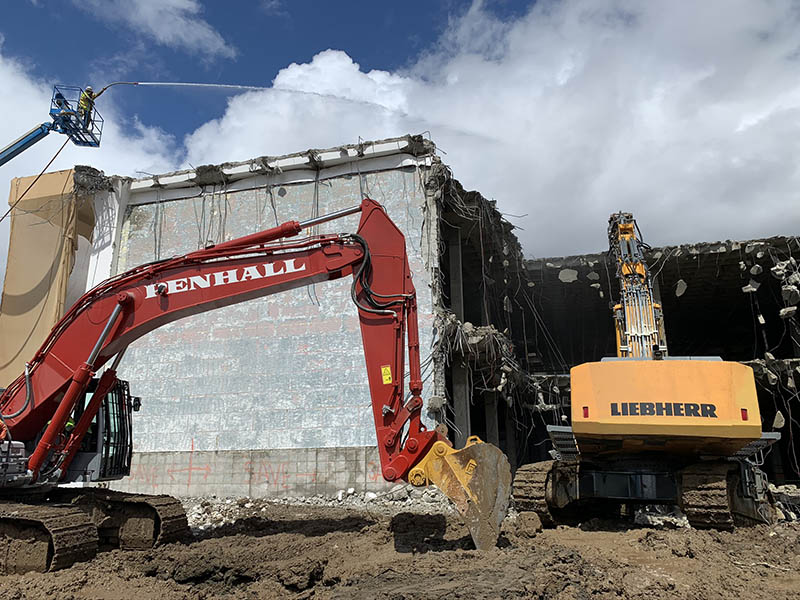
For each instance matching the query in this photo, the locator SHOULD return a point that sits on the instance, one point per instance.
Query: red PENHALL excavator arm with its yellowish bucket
(101, 325)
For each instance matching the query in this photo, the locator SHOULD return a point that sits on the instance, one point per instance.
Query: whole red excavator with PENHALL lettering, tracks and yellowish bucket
(61, 423)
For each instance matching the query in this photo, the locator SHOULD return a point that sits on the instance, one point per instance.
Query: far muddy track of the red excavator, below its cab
(132, 521)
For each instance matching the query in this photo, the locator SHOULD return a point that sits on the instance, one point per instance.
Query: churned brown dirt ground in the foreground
(279, 551)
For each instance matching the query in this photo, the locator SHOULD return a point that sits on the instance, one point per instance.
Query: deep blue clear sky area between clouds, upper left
(70, 42)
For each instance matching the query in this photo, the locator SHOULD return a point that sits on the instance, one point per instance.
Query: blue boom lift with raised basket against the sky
(84, 128)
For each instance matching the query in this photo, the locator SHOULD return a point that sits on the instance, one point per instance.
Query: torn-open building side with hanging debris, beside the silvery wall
(482, 310)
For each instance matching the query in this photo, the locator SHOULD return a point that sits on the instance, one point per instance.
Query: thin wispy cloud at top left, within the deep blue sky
(172, 23)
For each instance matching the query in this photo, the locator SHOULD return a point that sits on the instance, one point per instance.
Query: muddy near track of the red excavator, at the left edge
(44, 537)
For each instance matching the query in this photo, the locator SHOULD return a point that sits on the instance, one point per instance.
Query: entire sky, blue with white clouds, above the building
(562, 111)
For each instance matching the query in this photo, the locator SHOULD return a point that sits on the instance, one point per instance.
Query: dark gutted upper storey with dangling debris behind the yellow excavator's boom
(725, 299)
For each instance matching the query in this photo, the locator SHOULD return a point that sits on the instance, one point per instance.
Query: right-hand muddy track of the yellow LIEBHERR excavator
(704, 495)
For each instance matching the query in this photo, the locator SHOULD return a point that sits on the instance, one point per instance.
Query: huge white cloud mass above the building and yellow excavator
(687, 114)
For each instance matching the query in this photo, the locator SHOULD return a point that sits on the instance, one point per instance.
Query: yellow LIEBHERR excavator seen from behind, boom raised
(648, 428)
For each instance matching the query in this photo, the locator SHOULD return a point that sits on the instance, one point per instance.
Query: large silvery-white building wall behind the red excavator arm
(284, 372)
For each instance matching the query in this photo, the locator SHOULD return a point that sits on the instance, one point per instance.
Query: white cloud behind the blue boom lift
(122, 151)
